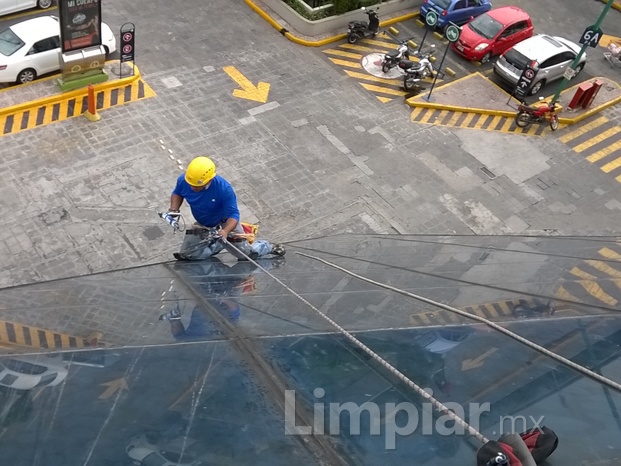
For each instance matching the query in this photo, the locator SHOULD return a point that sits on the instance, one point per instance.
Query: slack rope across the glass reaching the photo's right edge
(515, 336)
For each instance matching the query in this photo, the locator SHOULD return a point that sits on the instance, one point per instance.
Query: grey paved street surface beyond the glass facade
(321, 156)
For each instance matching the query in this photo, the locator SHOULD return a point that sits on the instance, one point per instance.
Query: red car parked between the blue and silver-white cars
(493, 32)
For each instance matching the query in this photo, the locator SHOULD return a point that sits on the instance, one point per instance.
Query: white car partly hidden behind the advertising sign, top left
(32, 48)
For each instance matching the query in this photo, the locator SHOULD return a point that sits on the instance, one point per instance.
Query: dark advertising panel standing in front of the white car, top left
(80, 24)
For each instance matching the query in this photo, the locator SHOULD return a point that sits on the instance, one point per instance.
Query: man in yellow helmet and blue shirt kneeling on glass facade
(213, 204)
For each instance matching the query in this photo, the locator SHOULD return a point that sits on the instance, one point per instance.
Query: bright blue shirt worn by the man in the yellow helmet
(210, 206)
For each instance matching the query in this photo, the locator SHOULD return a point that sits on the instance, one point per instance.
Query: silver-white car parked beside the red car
(553, 55)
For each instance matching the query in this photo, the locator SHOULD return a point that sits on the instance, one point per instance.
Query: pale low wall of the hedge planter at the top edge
(336, 24)
